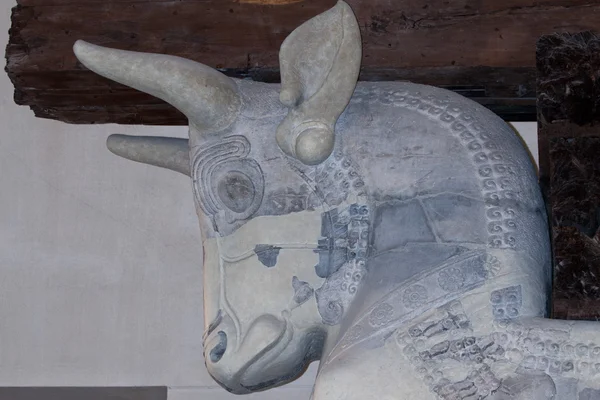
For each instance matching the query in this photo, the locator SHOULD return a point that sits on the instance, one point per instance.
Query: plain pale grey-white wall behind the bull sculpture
(100, 261)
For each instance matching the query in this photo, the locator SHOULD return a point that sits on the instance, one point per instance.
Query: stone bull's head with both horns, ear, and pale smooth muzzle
(249, 150)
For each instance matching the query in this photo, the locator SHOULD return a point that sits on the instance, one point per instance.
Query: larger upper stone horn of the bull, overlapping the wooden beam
(208, 98)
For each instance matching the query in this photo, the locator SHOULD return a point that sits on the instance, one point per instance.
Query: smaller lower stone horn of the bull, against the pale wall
(164, 152)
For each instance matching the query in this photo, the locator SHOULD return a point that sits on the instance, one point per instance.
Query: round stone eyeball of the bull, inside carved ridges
(236, 191)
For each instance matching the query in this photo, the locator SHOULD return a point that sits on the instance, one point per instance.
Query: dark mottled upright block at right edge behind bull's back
(569, 143)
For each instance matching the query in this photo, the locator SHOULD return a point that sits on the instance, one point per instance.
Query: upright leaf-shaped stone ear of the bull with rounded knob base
(320, 63)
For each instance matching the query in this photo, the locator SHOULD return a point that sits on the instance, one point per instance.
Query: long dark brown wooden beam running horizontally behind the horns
(485, 50)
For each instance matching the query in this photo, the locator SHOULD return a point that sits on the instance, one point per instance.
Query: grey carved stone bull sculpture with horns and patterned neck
(393, 231)
